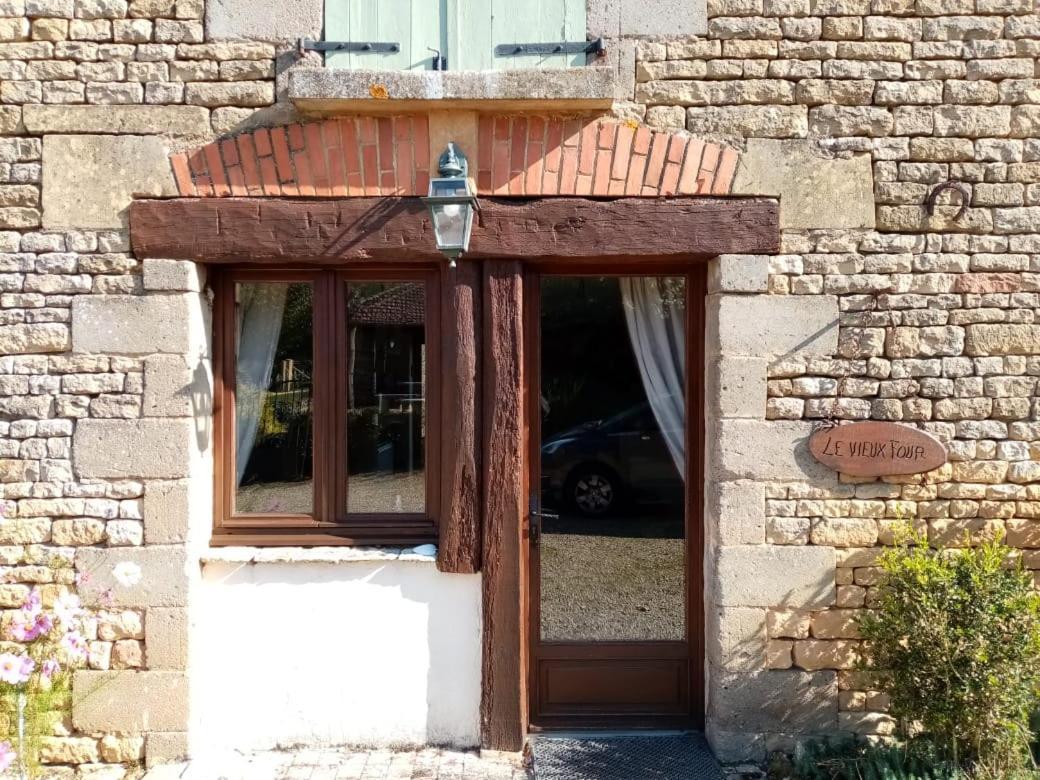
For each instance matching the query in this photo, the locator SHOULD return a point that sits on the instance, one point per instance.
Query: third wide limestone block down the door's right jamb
(765, 576)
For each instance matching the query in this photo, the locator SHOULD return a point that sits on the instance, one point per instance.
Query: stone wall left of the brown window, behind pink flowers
(106, 387)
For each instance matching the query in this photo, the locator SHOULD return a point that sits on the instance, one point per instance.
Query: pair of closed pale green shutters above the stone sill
(465, 33)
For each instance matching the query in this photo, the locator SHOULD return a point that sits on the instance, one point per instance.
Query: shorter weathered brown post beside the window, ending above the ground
(459, 551)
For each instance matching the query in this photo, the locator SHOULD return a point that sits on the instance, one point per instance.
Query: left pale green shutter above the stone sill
(418, 25)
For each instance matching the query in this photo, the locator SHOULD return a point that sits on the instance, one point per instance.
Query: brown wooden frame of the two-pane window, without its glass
(330, 525)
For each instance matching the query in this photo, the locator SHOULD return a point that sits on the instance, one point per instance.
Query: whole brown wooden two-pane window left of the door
(326, 420)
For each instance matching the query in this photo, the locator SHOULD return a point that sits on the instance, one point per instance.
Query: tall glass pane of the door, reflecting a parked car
(613, 454)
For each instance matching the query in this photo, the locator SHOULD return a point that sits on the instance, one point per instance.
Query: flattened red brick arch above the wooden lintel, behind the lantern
(521, 157)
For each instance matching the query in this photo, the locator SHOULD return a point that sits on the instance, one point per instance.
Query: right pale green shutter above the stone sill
(485, 25)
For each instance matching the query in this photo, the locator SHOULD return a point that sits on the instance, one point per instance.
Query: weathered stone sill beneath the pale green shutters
(330, 91)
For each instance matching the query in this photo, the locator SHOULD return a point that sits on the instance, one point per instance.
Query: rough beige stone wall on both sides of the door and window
(849, 111)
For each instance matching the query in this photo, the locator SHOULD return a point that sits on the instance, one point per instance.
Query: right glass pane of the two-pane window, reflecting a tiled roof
(386, 425)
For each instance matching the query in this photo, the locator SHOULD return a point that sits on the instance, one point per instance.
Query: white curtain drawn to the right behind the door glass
(656, 313)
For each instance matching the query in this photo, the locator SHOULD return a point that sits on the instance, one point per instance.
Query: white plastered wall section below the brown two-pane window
(371, 653)
